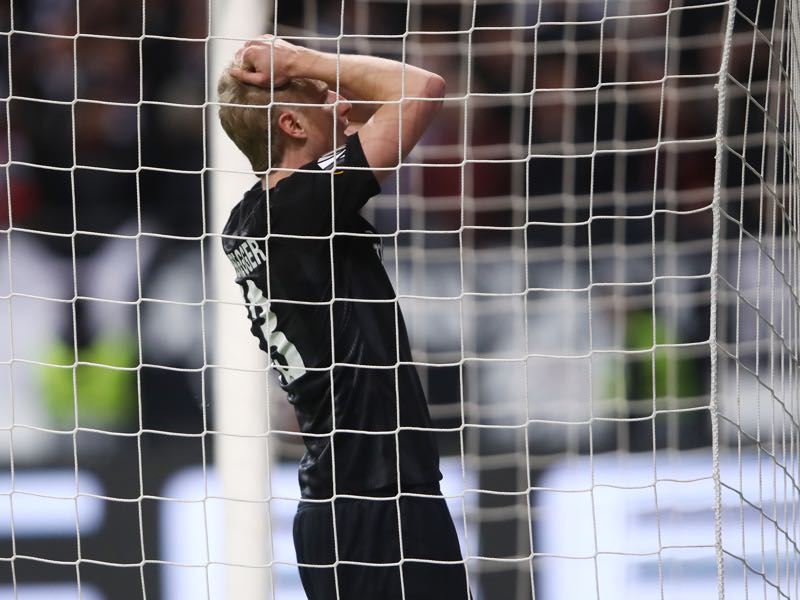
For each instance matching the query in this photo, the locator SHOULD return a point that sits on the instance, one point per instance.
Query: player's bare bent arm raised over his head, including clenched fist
(409, 97)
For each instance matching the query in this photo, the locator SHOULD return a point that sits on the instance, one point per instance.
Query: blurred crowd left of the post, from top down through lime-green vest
(105, 198)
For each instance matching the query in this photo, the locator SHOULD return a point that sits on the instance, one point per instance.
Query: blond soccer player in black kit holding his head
(323, 307)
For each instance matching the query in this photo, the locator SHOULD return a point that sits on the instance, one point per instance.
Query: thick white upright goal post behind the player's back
(241, 400)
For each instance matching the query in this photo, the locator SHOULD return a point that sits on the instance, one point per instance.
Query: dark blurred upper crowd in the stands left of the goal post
(94, 118)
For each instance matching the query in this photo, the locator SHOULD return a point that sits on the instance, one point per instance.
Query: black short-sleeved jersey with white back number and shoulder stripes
(323, 307)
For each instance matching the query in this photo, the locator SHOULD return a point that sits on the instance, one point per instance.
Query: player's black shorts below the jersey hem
(367, 532)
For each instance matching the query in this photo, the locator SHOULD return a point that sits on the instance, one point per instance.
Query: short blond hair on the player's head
(248, 125)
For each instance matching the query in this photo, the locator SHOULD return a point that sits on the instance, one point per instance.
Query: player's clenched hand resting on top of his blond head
(265, 62)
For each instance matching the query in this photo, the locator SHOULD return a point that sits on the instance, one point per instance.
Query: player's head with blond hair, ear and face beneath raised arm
(315, 129)
